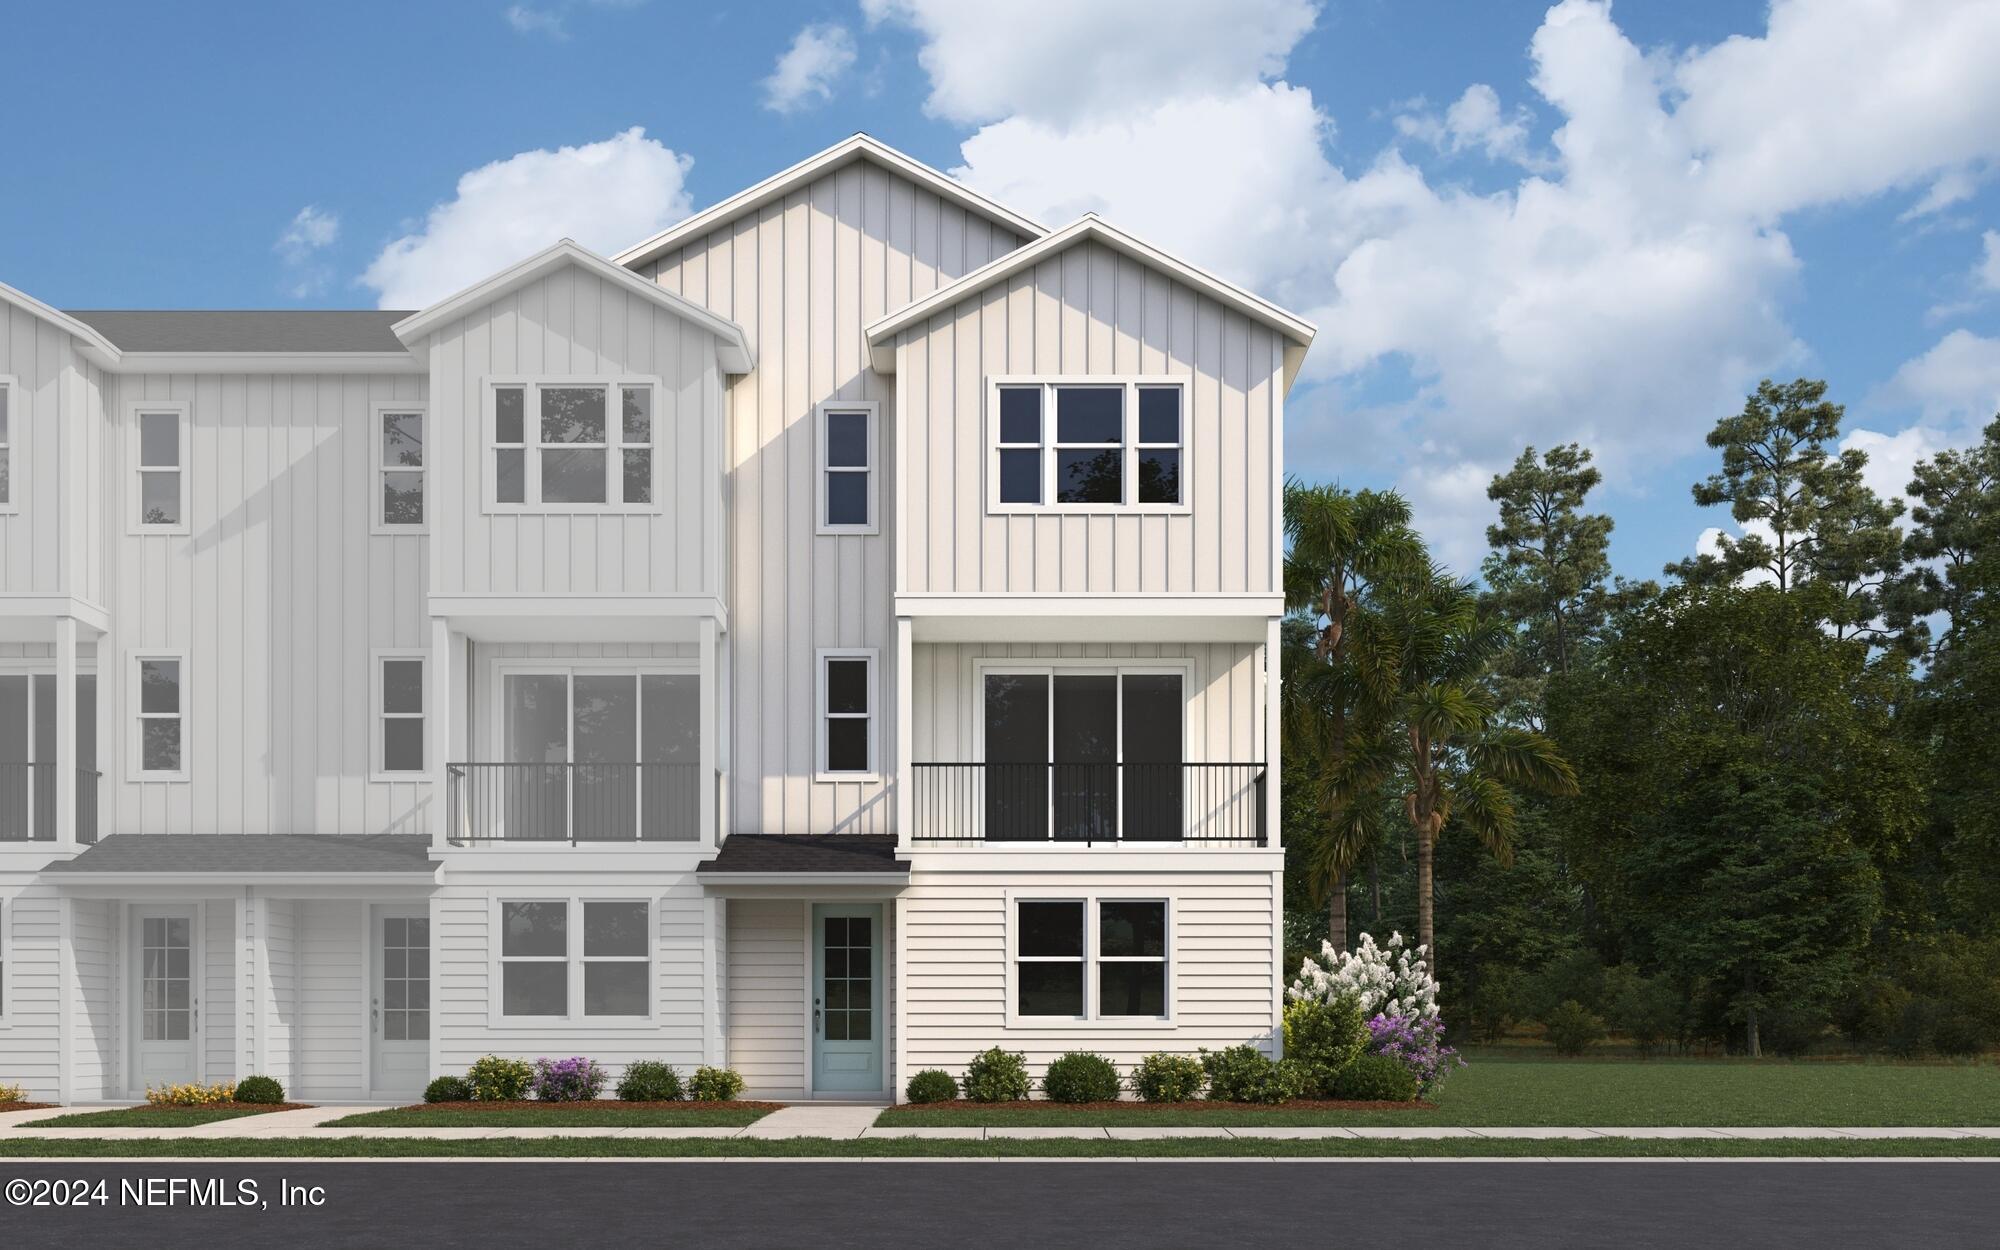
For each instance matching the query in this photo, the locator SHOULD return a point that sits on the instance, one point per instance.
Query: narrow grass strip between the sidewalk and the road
(585, 1147)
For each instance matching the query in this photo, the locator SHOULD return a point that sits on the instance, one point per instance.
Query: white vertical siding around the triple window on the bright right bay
(1091, 311)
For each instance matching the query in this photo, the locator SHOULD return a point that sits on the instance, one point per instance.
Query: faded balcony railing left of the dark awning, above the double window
(575, 803)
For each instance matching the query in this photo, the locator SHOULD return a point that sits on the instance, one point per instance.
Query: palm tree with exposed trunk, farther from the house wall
(1461, 759)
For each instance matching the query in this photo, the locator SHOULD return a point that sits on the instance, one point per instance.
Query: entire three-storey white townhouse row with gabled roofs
(827, 639)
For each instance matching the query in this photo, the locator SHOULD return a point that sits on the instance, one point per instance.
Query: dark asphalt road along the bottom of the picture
(1097, 1205)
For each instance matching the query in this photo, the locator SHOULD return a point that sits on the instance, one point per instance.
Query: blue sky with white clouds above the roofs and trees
(1513, 223)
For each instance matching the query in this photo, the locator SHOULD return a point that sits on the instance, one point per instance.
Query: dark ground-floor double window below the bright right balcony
(1091, 959)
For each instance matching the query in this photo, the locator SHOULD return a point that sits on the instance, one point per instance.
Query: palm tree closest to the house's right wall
(1343, 547)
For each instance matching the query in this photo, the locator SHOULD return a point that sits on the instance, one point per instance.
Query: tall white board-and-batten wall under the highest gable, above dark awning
(803, 275)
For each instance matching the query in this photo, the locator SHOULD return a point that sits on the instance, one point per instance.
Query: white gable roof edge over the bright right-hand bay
(1091, 229)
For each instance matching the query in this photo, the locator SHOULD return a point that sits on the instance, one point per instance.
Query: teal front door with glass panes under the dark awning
(847, 999)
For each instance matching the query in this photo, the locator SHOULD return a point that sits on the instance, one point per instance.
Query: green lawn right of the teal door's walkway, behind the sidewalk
(1613, 1095)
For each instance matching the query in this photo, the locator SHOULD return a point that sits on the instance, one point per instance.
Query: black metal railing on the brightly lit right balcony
(1087, 803)
